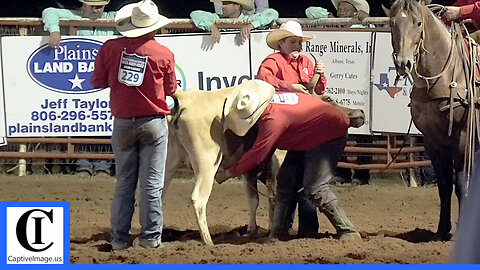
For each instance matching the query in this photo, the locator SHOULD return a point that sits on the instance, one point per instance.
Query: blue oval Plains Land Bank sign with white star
(66, 69)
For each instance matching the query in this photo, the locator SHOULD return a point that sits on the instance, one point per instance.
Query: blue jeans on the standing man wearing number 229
(140, 150)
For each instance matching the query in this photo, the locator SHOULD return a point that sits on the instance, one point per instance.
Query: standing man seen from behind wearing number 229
(140, 73)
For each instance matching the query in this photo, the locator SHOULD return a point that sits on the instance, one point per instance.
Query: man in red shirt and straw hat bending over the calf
(314, 133)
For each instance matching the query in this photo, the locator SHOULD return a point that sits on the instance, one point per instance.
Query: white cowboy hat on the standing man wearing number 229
(138, 19)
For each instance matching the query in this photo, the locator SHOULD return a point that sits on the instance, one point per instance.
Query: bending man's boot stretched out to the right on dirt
(339, 220)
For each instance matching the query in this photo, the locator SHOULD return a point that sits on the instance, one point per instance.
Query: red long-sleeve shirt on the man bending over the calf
(299, 123)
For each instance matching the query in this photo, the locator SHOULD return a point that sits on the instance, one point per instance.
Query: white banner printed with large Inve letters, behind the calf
(205, 65)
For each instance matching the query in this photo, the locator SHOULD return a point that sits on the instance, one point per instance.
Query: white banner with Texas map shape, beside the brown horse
(390, 111)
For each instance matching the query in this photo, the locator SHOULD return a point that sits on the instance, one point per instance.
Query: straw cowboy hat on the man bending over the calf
(245, 105)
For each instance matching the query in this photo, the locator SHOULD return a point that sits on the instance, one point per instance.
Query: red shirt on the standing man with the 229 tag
(159, 77)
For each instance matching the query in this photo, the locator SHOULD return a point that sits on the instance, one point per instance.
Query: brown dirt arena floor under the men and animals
(396, 224)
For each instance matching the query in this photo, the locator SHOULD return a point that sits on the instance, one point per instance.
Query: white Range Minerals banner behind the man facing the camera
(347, 66)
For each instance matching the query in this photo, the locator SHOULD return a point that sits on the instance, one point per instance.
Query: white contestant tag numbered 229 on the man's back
(132, 69)
